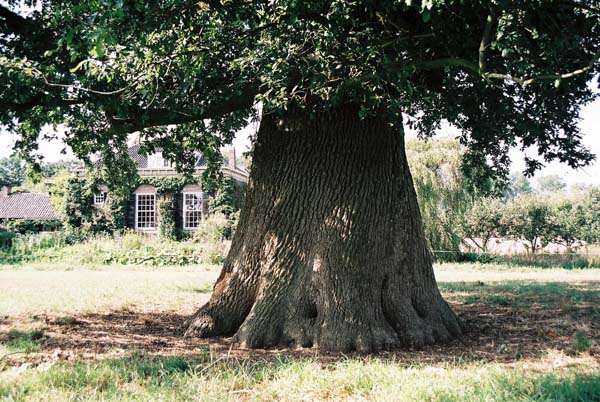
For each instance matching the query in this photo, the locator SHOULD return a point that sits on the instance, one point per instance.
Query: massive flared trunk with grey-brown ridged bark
(329, 250)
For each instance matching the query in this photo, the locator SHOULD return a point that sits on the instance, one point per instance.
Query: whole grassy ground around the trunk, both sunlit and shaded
(112, 333)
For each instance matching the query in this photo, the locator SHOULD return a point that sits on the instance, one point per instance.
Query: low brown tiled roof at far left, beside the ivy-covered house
(27, 206)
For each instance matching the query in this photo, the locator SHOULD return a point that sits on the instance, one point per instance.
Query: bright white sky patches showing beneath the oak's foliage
(589, 124)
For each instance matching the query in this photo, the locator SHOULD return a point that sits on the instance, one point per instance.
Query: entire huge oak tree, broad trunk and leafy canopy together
(329, 251)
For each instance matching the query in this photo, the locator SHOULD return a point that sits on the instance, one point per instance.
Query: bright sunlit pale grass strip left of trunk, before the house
(38, 289)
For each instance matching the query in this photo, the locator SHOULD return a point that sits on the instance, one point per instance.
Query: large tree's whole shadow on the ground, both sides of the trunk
(508, 321)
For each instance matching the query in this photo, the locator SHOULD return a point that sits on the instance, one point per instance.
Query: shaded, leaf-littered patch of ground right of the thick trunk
(523, 319)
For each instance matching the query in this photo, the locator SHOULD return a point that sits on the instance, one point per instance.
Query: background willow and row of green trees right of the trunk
(459, 212)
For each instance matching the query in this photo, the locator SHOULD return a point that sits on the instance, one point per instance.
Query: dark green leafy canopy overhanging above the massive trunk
(187, 74)
